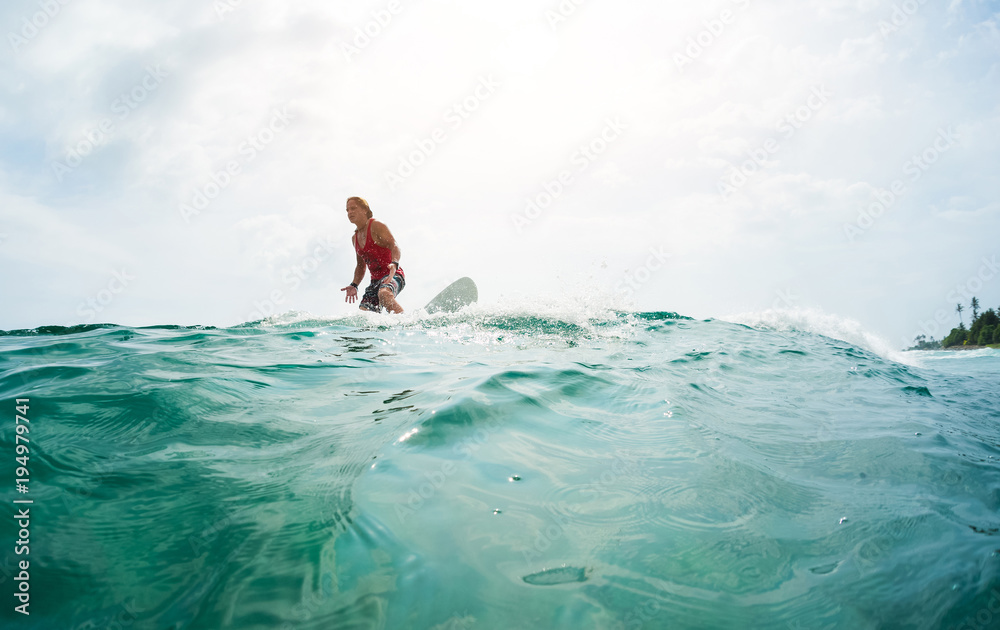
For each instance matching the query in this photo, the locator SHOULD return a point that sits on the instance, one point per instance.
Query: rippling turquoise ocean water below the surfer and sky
(500, 470)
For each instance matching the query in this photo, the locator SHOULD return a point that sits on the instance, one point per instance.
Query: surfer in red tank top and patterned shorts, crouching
(376, 248)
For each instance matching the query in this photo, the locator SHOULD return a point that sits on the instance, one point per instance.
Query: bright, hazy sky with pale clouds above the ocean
(188, 162)
